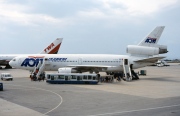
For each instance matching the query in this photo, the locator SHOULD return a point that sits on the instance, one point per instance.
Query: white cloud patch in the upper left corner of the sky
(20, 14)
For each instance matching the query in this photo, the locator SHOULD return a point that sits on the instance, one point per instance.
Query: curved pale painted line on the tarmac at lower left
(61, 99)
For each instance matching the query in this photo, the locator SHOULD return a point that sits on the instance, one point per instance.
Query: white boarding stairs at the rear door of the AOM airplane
(127, 70)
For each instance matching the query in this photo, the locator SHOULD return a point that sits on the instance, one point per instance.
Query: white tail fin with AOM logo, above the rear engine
(153, 37)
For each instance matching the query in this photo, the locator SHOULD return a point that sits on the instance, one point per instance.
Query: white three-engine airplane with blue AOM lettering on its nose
(143, 54)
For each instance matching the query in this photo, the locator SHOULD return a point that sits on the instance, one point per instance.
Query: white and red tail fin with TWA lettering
(53, 48)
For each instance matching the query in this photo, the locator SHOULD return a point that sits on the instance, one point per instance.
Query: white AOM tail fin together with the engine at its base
(148, 46)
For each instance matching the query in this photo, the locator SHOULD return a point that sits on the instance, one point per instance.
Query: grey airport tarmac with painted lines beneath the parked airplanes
(157, 93)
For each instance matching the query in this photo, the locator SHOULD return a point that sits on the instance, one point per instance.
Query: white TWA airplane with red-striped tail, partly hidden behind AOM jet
(53, 48)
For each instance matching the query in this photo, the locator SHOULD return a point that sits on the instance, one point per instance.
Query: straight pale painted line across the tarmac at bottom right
(136, 110)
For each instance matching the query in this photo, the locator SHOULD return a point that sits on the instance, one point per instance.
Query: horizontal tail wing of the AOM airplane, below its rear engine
(150, 60)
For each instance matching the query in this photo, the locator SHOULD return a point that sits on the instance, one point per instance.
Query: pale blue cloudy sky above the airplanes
(87, 26)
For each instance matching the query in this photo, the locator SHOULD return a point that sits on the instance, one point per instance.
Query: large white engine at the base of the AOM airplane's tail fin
(144, 50)
